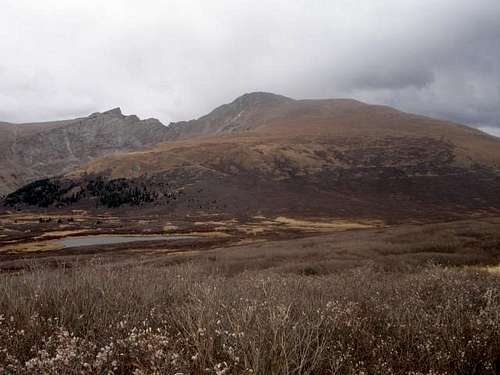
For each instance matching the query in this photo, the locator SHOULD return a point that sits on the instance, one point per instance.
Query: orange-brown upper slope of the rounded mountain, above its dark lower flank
(311, 134)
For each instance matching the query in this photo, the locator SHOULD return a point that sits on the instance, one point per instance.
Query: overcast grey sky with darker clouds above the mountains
(176, 60)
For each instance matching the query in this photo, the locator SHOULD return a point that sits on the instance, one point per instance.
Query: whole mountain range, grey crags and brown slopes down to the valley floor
(267, 154)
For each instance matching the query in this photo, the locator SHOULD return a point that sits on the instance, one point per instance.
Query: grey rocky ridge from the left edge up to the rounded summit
(34, 151)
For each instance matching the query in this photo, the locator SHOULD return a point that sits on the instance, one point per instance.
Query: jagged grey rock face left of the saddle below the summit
(32, 151)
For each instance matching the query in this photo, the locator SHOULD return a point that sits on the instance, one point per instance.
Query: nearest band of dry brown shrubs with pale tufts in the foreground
(193, 318)
